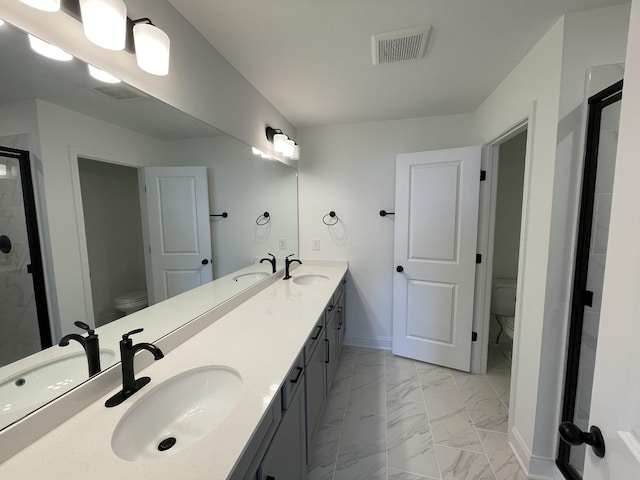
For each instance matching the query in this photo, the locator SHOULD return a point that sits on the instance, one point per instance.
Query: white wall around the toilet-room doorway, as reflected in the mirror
(62, 132)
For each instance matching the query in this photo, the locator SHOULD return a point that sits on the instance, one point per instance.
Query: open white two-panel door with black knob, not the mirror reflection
(436, 223)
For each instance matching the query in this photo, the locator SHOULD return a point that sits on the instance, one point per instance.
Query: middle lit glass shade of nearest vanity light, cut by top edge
(105, 22)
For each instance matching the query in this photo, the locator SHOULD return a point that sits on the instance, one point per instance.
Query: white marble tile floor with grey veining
(391, 418)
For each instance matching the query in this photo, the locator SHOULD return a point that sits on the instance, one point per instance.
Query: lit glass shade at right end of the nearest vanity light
(152, 49)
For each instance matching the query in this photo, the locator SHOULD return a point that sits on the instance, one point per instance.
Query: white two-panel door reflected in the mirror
(178, 234)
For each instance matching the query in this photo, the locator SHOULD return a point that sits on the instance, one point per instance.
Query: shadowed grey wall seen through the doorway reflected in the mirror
(113, 227)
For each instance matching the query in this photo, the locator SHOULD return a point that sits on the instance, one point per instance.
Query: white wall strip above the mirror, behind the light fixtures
(200, 82)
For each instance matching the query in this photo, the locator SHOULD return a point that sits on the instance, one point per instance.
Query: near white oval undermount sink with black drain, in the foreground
(177, 413)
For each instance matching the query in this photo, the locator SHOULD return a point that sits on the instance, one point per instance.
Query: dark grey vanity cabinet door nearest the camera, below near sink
(286, 457)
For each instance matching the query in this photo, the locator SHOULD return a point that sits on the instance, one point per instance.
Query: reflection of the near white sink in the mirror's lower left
(41, 383)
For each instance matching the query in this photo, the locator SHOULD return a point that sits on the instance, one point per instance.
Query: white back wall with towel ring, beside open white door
(351, 169)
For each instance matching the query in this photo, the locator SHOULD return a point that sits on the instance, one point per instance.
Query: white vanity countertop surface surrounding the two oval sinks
(260, 339)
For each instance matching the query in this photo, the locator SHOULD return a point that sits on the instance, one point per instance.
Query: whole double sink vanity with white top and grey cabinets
(239, 399)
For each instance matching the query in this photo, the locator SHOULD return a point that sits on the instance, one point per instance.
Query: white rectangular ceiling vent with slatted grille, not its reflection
(400, 46)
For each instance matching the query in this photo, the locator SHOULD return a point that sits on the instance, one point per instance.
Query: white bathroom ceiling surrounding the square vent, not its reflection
(312, 58)
